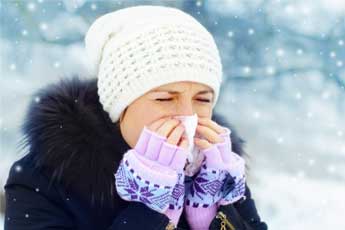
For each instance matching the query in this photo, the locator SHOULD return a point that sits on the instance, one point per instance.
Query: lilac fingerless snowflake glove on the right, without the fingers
(220, 181)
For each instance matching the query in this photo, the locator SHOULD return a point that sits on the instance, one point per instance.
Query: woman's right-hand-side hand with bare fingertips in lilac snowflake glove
(222, 176)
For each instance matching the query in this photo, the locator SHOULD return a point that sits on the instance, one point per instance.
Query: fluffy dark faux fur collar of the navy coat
(72, 137)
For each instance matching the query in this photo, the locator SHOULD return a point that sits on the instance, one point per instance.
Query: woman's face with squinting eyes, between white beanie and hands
(173, 99)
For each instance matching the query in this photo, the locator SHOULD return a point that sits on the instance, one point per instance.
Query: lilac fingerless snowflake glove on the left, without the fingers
(152, 173)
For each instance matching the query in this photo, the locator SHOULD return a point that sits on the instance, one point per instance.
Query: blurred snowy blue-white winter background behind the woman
(284, 90)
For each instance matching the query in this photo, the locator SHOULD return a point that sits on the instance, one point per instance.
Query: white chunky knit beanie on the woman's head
(138, 48)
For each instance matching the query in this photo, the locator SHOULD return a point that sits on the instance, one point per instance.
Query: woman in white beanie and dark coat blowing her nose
(112, 152)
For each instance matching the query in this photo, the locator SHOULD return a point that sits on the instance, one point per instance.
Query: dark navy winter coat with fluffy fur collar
(66, 179)
